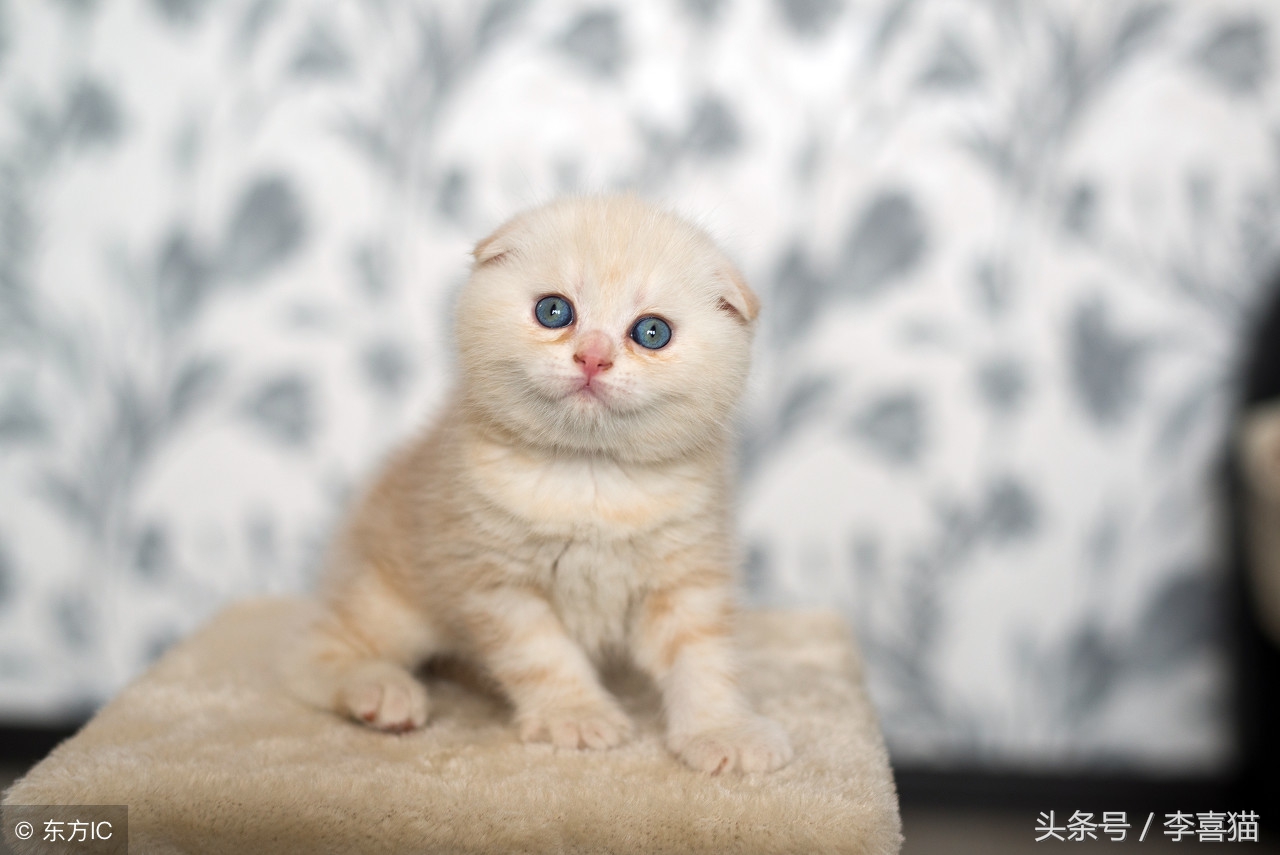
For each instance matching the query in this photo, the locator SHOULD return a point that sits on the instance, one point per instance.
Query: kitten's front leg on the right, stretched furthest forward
(684, 639)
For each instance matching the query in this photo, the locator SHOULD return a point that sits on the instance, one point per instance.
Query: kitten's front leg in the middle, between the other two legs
(555, 688)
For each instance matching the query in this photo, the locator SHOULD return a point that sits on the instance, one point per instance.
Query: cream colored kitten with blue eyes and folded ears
(573, 500)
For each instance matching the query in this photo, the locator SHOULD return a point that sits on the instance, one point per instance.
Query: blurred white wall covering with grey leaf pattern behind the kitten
(1013, 257)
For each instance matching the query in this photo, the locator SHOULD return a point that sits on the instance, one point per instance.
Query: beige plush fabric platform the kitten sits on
(212, 757)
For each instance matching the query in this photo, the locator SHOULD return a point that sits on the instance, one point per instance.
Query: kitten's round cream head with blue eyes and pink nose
(605, 326)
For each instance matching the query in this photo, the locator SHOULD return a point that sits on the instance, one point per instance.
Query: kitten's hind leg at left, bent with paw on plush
(355, 659)
